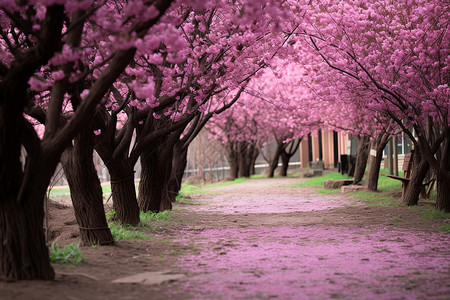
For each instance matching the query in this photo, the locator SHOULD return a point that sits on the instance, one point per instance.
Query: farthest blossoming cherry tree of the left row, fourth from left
(221, 56)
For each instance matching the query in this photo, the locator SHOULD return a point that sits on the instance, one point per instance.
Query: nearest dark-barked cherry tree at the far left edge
(41, 37)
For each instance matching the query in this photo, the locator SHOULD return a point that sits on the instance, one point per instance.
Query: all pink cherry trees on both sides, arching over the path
(139, 80)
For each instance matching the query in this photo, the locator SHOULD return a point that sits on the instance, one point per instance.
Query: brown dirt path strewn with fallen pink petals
(258, 239)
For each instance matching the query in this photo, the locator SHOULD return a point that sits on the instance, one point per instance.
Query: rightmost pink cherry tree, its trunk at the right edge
(398, 53)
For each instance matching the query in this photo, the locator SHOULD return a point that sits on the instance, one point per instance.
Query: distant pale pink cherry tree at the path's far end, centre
(284, 114)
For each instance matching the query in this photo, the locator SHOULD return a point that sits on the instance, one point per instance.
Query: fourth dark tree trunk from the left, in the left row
(156, 168)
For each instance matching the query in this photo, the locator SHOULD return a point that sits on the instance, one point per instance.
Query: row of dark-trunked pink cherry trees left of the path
(128, 79)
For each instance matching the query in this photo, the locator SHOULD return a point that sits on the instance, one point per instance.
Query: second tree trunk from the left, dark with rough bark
(86, 191)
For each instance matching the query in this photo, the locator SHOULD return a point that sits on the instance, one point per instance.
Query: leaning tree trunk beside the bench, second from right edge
(419, 171)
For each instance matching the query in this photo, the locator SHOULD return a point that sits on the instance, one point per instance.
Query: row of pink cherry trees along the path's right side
(373, 70)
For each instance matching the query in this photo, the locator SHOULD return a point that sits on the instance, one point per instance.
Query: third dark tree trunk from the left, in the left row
(123, 192)
